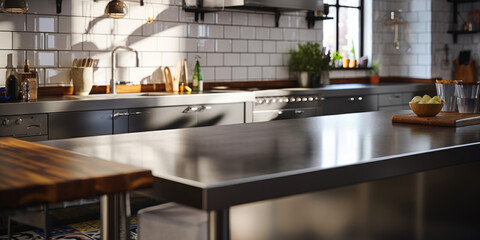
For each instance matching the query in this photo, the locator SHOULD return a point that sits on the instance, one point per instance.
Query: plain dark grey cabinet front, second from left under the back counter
(79, 124)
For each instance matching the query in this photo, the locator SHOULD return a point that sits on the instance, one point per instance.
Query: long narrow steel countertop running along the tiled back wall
(161, 99)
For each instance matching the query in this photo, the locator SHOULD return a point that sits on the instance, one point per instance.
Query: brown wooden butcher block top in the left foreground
(31, 173)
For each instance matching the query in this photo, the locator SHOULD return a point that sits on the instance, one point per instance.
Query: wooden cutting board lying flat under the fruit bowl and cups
(443, 119)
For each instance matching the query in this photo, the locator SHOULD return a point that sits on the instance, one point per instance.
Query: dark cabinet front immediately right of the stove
(351, 104)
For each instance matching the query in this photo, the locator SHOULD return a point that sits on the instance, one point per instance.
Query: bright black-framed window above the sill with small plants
(346, 28)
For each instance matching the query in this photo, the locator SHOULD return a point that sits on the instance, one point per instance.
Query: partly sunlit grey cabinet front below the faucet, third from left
(150, 119)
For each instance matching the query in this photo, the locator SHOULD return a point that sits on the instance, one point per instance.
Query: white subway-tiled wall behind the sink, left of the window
(233, 45)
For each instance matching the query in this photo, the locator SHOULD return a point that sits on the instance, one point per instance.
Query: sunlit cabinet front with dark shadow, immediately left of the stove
(221, 114)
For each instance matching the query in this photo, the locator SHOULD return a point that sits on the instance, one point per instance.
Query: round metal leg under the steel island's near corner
(219, 224)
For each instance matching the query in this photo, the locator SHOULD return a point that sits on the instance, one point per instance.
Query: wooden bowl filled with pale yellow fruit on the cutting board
(426, 106)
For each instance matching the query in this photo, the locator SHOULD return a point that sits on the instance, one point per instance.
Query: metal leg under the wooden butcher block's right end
(115, 213)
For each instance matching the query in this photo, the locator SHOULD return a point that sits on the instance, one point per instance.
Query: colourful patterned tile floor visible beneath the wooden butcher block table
(89, 230)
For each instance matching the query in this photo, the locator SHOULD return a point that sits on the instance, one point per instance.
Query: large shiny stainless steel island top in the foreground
(220, 166)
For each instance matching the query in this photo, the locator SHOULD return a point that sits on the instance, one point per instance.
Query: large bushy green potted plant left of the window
(312, 62)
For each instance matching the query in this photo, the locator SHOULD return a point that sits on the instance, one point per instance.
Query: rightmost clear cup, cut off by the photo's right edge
(467, 97)
